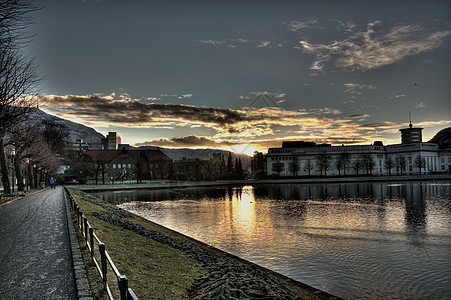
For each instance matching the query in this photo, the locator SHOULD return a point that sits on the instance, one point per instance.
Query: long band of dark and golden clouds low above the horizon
(248, 127)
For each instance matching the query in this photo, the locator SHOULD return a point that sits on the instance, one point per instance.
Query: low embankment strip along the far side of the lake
(310, 180)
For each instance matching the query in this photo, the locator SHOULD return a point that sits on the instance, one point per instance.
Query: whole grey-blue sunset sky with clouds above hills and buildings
(246, 75)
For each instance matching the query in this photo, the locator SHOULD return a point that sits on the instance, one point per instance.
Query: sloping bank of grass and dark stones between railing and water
(163, 264)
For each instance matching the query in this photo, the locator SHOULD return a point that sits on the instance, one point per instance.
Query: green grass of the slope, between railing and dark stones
(154, 270)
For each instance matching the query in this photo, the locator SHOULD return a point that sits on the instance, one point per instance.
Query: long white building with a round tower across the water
(412, 156)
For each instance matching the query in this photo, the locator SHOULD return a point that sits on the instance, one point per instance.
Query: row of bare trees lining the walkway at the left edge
(24, 149)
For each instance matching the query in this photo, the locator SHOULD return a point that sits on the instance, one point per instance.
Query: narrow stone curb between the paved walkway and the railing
(80, 275)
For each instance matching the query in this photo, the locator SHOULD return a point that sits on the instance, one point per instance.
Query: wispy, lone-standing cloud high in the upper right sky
(373, 48)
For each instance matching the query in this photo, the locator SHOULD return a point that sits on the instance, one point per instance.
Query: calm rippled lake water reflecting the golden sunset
(367, 241)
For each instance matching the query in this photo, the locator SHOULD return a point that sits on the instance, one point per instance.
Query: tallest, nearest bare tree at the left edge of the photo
(18, 73)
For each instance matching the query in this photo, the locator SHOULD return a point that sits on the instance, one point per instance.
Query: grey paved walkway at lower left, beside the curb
(35, 254)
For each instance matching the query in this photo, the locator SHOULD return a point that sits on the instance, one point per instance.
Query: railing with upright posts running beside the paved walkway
(87, 231)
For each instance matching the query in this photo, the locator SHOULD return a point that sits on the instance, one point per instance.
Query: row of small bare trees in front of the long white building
(362, 165)
